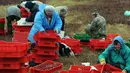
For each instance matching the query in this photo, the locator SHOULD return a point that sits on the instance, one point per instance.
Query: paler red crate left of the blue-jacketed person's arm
(18, 38)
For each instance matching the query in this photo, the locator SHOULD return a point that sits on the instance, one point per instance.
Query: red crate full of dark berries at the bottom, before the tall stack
(47, 67)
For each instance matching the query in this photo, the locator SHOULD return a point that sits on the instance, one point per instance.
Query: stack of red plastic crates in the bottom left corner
(13, 57)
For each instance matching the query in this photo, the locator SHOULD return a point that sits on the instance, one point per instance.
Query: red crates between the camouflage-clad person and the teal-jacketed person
(102, 43)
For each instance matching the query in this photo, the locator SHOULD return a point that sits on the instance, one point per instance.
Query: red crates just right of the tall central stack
(73, 44)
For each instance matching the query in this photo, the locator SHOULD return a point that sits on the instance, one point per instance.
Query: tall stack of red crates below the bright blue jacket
(46, 46)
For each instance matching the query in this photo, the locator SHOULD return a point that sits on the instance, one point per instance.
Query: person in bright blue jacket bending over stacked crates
(48, 19)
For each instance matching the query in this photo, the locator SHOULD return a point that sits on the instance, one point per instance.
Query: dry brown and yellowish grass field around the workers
(79, 16)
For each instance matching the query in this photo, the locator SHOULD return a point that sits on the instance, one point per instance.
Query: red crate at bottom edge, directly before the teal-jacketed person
(107, 67)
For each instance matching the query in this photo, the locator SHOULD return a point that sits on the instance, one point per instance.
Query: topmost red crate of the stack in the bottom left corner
(13, 49)
